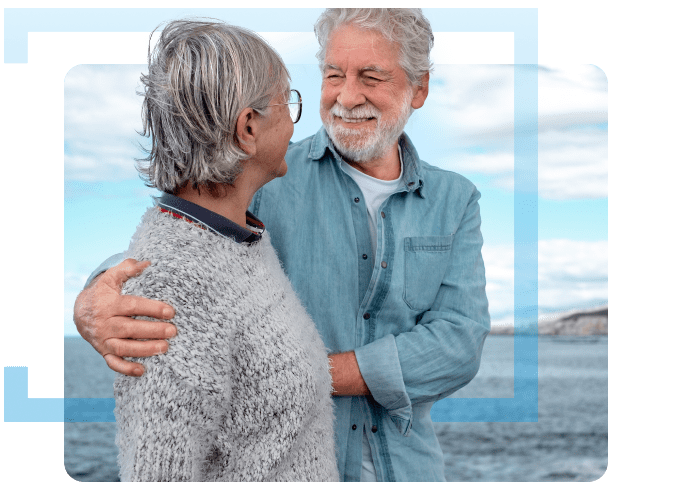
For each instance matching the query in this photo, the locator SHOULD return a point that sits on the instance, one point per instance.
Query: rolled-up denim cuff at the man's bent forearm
(379, 365)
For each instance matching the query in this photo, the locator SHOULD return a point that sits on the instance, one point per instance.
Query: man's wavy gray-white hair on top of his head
(408, 27)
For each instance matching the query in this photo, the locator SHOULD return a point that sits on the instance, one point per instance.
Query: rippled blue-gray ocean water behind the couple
(568, 443)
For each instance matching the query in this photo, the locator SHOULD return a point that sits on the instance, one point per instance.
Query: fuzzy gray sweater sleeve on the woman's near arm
(170, 419)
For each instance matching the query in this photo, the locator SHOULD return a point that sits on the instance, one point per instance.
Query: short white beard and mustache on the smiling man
(365, 145)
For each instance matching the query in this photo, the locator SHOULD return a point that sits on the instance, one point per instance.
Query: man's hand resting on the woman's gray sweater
(101, 315)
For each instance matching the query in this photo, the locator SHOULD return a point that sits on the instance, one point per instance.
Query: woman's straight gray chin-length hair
(202, 74)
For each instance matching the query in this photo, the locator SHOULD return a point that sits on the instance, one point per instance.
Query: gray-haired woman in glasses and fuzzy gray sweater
(243, 392)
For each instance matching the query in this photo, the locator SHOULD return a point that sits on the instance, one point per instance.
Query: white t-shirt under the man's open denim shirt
(374, 191)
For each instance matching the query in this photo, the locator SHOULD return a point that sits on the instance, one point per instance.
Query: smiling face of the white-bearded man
(366, 98)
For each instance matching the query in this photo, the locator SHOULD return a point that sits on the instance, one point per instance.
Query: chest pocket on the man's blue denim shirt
(426, 259)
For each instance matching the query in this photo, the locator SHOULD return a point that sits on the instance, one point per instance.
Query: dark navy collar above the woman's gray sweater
(210, 220)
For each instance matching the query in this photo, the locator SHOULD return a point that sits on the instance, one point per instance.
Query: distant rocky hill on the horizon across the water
(575, 323)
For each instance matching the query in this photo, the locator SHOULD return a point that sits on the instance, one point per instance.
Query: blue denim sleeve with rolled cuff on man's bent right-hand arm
(442, 352)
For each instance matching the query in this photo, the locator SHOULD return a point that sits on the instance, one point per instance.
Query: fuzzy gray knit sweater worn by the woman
(243, 393)
